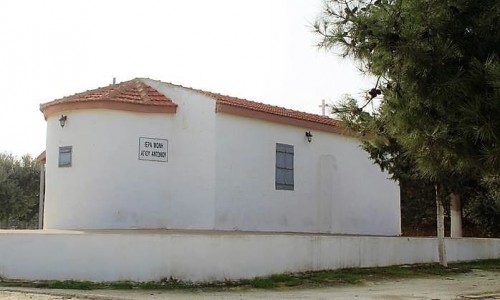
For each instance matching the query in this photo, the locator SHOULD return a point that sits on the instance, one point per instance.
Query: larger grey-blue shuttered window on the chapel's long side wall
(284, 167)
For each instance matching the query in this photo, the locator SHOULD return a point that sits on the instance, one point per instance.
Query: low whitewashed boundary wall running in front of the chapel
(147, 255)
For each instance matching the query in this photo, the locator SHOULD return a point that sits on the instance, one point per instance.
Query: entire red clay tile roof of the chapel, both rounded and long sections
(136, 92)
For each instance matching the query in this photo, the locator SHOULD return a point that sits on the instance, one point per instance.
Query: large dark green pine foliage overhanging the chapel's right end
(439, 74)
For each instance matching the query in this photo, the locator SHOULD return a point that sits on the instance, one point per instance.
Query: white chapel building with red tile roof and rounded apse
(145, 154)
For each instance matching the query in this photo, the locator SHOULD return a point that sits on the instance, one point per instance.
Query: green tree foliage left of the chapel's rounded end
(19, 191)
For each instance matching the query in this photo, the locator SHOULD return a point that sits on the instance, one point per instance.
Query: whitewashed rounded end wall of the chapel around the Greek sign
(107, 186)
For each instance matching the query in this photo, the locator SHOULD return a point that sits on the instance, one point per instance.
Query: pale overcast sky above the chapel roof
(261, 50)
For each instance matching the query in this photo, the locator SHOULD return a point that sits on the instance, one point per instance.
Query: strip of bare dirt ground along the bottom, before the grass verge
(475, 285)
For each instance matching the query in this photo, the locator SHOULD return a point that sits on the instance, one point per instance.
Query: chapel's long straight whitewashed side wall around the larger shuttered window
(337, 188)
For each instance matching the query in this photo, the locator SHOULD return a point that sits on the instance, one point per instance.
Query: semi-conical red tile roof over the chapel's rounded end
(132, 93)
